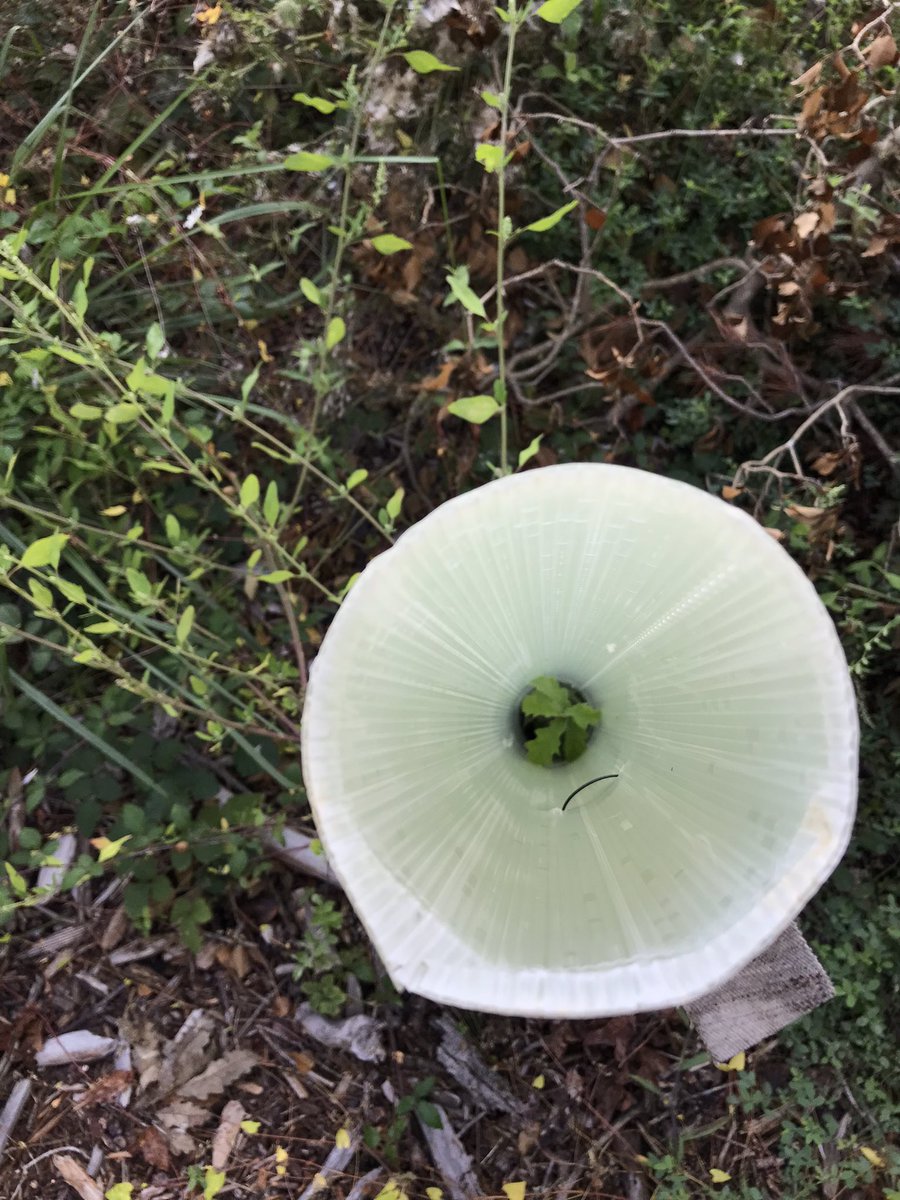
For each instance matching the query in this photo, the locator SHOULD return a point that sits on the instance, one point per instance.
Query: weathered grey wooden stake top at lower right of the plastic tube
(783, 985)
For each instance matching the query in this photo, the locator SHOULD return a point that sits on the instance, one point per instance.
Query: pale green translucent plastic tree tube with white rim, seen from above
(728, 713)
